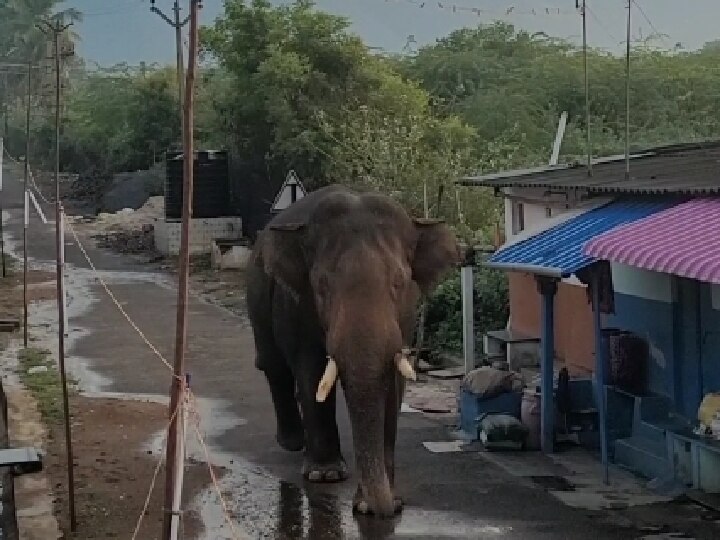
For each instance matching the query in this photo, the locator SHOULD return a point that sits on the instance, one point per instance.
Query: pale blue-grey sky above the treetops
(115, 31)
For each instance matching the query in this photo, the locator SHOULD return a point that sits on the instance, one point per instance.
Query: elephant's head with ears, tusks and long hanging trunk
(365, 263)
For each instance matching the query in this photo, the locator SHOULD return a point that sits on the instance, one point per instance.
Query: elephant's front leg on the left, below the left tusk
(323, 459)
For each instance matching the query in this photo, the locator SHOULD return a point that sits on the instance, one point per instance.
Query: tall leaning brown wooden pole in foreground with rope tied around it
(176, 437)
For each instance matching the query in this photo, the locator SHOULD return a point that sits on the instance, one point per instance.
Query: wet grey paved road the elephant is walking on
(457, 495)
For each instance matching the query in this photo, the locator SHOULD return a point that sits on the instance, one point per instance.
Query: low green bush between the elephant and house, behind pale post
(443, 323)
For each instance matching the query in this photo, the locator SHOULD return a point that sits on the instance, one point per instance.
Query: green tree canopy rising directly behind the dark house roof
(513, 85)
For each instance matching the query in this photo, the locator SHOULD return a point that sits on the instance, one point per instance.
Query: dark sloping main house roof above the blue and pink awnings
(691, 169)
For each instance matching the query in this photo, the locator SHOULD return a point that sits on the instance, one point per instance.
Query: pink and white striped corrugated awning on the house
(683, 240)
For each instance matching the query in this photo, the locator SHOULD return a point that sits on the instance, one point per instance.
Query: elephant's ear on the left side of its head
(283, 256)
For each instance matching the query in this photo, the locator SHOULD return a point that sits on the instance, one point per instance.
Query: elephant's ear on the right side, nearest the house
(436, 252)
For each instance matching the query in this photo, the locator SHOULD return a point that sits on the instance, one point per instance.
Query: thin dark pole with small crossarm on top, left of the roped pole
(57, 30)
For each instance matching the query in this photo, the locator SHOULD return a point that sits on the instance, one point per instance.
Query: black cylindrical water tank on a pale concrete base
(211, 193)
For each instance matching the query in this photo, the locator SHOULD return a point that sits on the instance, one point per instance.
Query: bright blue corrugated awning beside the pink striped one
(558, 252)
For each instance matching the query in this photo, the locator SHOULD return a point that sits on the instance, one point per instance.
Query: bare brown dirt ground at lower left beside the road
(114, 470)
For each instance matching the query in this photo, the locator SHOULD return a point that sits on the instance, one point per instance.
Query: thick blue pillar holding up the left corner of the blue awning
(548, 289)
